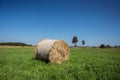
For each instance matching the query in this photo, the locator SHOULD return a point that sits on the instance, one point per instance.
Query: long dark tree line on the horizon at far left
(14, 44)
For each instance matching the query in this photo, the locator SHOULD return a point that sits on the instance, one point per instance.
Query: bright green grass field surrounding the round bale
(84, 64)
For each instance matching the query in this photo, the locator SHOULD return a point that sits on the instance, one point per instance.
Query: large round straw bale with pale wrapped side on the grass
(54, 51)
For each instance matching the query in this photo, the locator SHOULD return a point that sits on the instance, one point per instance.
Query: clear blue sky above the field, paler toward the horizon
(95, 21)
